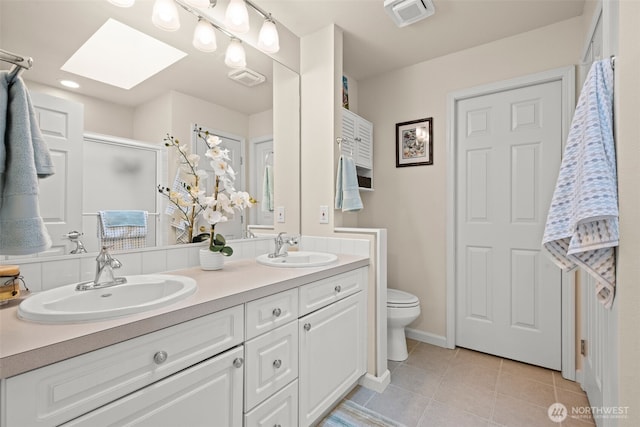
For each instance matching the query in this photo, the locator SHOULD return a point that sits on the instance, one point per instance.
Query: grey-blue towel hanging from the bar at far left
(24, 157)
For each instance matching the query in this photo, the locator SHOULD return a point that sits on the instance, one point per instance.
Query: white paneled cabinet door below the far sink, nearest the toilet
(332, 355)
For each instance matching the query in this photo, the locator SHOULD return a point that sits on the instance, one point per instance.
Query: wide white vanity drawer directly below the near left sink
(60, 392)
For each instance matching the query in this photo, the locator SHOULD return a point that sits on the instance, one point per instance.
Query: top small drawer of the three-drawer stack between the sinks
(266, 314)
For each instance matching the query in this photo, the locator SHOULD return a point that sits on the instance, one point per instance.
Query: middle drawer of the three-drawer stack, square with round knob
(271, 362)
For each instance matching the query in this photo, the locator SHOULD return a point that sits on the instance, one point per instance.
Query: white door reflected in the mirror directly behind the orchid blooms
(233, 228)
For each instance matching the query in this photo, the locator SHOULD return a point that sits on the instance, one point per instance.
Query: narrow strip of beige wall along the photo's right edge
(628, 155)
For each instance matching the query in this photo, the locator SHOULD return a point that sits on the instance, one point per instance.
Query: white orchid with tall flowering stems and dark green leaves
(190, 200)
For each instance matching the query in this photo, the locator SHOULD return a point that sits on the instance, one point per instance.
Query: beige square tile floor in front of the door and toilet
(440, 387)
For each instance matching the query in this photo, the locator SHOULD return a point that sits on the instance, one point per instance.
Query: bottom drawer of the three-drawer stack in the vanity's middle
(281, 409)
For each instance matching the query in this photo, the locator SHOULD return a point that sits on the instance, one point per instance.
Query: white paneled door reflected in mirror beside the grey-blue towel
(61, 123)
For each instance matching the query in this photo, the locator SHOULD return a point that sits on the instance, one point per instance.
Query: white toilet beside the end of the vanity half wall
(402, 309)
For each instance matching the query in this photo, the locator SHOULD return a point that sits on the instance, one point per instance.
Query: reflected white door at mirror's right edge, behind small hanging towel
(261, 158)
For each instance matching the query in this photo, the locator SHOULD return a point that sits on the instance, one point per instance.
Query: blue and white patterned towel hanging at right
(582, 225)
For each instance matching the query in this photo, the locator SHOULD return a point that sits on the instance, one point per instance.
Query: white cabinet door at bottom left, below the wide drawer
(207, 394)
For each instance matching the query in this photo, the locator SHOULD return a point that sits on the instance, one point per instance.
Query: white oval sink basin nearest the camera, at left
(141, 293)
